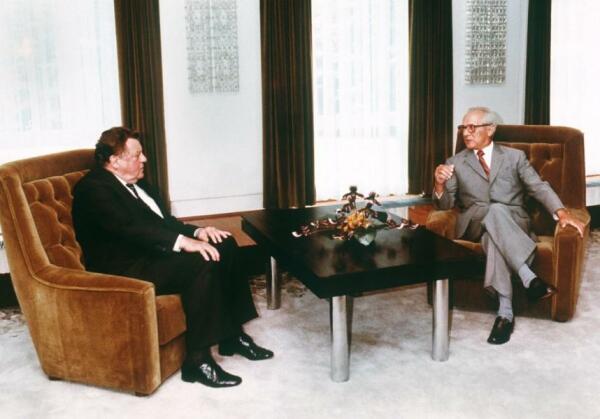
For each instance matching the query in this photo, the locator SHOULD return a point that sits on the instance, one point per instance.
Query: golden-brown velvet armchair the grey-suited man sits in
(557, 154)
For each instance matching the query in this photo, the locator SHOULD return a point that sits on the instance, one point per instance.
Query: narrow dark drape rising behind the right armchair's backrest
(537, 76)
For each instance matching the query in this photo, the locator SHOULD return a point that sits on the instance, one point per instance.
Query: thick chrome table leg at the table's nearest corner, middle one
(341, 308)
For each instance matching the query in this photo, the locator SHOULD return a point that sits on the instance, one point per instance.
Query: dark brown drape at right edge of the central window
(430, 128)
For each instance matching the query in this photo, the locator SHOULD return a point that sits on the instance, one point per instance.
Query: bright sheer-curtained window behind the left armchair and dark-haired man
(58, 75)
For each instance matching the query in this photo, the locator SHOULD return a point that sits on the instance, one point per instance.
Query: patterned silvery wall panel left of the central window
(212, 46)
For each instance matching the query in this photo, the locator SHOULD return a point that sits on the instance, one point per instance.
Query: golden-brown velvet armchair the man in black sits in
(105, 330)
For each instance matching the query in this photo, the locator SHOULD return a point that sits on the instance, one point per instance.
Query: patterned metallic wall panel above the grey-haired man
(486, 42)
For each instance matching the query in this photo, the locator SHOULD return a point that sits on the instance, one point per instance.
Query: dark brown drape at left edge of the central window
(288, 140)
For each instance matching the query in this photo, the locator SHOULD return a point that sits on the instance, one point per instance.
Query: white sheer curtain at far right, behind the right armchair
(575, 73)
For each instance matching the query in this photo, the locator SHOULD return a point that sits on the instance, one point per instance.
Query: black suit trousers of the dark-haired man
(216, 296)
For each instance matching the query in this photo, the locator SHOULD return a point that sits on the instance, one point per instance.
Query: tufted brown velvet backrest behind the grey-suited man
(557, 153)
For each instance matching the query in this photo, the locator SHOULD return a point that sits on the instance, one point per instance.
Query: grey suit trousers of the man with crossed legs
(504, 236)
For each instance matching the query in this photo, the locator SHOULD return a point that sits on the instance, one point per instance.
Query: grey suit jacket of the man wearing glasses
(511, 179)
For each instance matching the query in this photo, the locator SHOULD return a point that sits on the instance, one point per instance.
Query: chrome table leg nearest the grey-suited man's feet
(441, 330)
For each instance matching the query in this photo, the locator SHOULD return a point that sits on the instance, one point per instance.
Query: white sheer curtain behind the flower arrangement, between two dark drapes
(360, 76)
